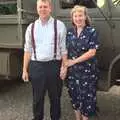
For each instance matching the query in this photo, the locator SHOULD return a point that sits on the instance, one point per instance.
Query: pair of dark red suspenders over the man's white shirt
(55, 39)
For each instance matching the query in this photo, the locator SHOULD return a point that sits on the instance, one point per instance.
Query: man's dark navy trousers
(45, 76)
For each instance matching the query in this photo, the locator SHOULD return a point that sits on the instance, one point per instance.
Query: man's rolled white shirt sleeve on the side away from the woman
(28, 43)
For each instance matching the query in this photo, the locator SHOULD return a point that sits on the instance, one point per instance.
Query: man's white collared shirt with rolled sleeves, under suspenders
(44, 40)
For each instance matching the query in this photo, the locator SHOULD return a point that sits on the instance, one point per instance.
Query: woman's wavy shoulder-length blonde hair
(78, 8)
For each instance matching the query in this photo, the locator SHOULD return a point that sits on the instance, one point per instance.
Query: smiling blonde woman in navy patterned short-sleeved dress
(82, 44)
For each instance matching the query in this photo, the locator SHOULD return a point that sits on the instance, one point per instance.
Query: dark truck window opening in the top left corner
(8, 7)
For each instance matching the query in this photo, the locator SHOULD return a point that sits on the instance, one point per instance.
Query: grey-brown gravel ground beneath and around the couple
(16, 103)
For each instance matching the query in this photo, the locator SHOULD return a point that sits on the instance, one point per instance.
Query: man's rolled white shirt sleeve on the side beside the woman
(63, 39)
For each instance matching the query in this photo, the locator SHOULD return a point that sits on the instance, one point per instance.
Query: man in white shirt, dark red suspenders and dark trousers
(41, 65)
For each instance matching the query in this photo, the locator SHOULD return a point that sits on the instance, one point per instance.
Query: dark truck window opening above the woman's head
(65, 4)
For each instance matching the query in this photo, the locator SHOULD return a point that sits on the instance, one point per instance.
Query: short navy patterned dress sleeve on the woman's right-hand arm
(94, 41)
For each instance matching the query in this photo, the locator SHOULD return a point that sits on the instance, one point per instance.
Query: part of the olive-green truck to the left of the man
(15, 15)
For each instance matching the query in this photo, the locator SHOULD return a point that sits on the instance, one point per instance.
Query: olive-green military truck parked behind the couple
(105, 15)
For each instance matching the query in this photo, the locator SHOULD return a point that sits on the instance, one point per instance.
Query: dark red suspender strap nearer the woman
(55, 38)
